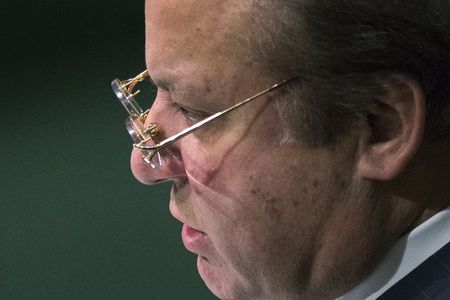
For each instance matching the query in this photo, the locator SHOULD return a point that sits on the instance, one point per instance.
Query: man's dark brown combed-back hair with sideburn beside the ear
(343, 52)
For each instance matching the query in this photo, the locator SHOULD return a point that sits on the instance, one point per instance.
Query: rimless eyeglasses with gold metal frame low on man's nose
(141, 134)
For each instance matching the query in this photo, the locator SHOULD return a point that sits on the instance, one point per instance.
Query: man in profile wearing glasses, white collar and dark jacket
(330, 178)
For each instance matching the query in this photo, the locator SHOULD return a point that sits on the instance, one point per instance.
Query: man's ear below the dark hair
(396, 125)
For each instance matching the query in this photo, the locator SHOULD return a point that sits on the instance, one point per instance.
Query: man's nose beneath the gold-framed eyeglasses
(171, 165)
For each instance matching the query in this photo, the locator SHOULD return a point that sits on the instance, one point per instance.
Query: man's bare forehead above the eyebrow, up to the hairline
(200, 33)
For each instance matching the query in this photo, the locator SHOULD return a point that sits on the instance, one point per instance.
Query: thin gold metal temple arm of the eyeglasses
(196, 126)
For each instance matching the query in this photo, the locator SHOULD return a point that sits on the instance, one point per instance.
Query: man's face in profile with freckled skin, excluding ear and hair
(265, 218)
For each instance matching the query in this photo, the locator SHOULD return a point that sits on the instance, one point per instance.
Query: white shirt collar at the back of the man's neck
(407, 253)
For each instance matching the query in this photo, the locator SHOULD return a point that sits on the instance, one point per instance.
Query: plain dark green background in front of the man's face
(74, 223)
